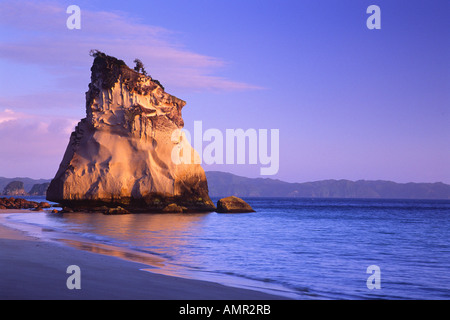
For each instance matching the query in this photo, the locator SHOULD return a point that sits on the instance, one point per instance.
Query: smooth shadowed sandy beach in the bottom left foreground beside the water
(35, 269)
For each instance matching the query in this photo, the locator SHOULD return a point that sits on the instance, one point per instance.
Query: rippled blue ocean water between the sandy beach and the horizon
(297, 248)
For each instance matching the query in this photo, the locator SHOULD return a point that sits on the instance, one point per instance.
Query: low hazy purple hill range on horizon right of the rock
(226, 184)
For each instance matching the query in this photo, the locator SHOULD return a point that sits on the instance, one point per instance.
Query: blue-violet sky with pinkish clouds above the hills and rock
(350, 103)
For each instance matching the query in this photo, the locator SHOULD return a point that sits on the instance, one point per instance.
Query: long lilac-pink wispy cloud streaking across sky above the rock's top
(41, 37)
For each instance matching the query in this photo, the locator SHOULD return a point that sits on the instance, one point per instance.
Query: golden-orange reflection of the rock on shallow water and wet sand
(164, 236)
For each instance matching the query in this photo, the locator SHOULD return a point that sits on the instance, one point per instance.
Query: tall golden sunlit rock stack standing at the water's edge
(121, 153)
